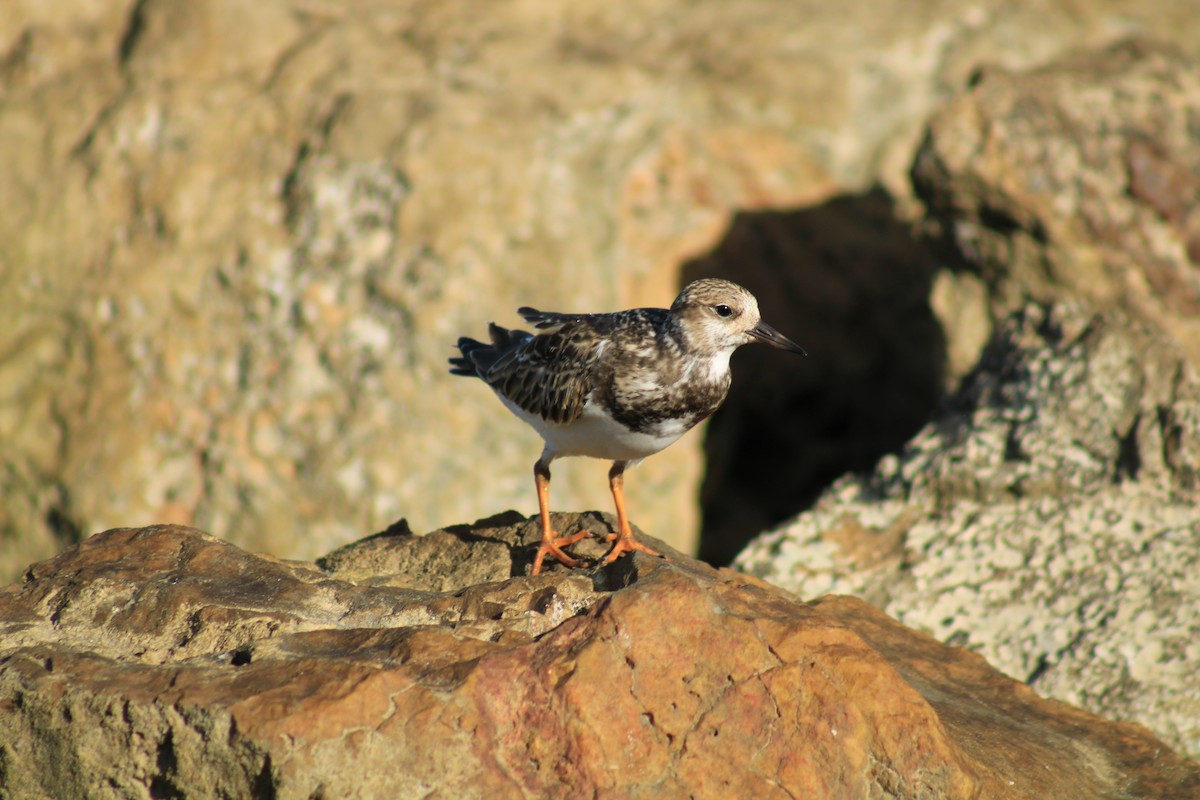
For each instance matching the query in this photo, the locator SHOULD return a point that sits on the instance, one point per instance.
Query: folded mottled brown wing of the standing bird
(548, 375)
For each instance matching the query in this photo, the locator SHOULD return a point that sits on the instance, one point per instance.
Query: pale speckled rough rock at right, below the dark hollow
(1049, 520)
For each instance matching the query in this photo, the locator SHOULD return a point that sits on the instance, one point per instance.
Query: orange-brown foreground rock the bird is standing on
(165, 663)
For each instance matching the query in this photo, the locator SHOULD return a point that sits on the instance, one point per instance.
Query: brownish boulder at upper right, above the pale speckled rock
(1081, 179)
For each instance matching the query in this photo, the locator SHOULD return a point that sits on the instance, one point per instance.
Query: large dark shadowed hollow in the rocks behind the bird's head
(850, 281)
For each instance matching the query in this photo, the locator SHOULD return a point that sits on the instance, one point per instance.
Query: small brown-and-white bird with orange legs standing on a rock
(620, 387)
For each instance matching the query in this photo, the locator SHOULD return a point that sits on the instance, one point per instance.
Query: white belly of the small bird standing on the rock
(598, 436)
